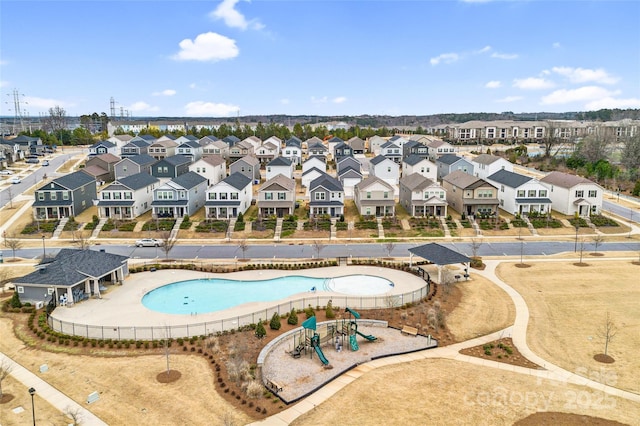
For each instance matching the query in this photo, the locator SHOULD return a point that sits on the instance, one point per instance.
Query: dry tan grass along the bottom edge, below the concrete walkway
(452, 392)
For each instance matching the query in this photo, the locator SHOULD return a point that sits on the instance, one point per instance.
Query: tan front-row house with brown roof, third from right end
(470, 195)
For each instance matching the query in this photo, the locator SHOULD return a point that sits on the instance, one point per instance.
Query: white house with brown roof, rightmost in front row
(571, 194)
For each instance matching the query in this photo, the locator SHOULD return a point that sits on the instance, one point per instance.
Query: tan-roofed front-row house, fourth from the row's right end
(421, 196)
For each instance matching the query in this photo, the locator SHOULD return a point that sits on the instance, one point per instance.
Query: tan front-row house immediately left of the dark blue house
(277, 197)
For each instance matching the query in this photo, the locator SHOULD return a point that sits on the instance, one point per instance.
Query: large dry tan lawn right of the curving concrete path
(568, 305)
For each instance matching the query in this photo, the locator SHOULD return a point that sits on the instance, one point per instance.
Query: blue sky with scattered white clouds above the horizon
(221, 58)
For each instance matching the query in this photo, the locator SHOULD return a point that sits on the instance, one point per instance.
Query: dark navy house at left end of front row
(65, 196)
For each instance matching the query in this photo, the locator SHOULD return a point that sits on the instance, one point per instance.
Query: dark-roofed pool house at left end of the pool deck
(72, 276)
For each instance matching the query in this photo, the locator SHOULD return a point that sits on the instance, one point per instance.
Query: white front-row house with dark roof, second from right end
(520, 194)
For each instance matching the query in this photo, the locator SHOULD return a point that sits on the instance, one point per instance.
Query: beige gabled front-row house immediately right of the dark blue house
(374, 197)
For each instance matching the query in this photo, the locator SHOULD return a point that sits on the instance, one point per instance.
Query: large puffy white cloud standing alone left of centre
(207, 47)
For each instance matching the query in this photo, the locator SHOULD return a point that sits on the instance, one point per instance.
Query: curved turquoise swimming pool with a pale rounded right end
(209, 295)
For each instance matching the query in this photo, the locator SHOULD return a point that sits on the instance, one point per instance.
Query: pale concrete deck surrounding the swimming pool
(121, 306)
